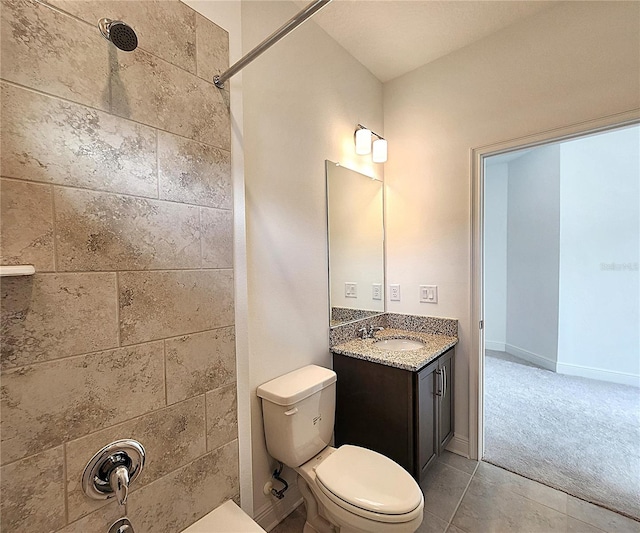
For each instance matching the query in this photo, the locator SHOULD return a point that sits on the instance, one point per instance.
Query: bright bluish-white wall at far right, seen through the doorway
(599, 291)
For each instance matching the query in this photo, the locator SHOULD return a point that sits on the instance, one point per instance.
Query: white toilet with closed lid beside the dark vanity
(347, 489)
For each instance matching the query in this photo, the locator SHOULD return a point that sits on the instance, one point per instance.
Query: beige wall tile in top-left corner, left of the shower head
(54, 53)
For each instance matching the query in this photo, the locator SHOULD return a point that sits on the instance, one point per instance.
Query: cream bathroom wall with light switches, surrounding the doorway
(574, 62)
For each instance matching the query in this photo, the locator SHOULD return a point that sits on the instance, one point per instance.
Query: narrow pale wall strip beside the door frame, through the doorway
(495, 255)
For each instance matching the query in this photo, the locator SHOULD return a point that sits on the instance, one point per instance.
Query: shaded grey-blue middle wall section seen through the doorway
(533, 255)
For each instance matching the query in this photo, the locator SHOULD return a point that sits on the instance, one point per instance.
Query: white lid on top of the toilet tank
(297, 385)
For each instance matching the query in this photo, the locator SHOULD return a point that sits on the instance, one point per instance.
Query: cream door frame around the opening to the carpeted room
(478, 155)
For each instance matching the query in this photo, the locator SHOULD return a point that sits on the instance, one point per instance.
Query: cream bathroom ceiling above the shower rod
(392, 37)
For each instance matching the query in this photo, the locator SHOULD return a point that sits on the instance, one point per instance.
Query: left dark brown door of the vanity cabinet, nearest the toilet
(426, 418)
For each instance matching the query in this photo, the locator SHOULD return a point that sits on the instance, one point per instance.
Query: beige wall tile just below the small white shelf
(48, 316)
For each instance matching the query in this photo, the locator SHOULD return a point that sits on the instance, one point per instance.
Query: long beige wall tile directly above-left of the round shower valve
(46, 404)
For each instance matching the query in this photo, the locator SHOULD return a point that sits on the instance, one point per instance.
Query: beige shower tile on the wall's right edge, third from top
(194, 173)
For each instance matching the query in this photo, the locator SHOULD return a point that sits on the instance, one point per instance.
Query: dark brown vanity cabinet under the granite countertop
(404, 415)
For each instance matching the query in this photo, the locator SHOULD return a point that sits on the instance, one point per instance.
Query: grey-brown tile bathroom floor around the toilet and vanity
(464, 496)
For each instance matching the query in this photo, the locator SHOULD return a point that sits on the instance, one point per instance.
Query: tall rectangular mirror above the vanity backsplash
(356, 244)
